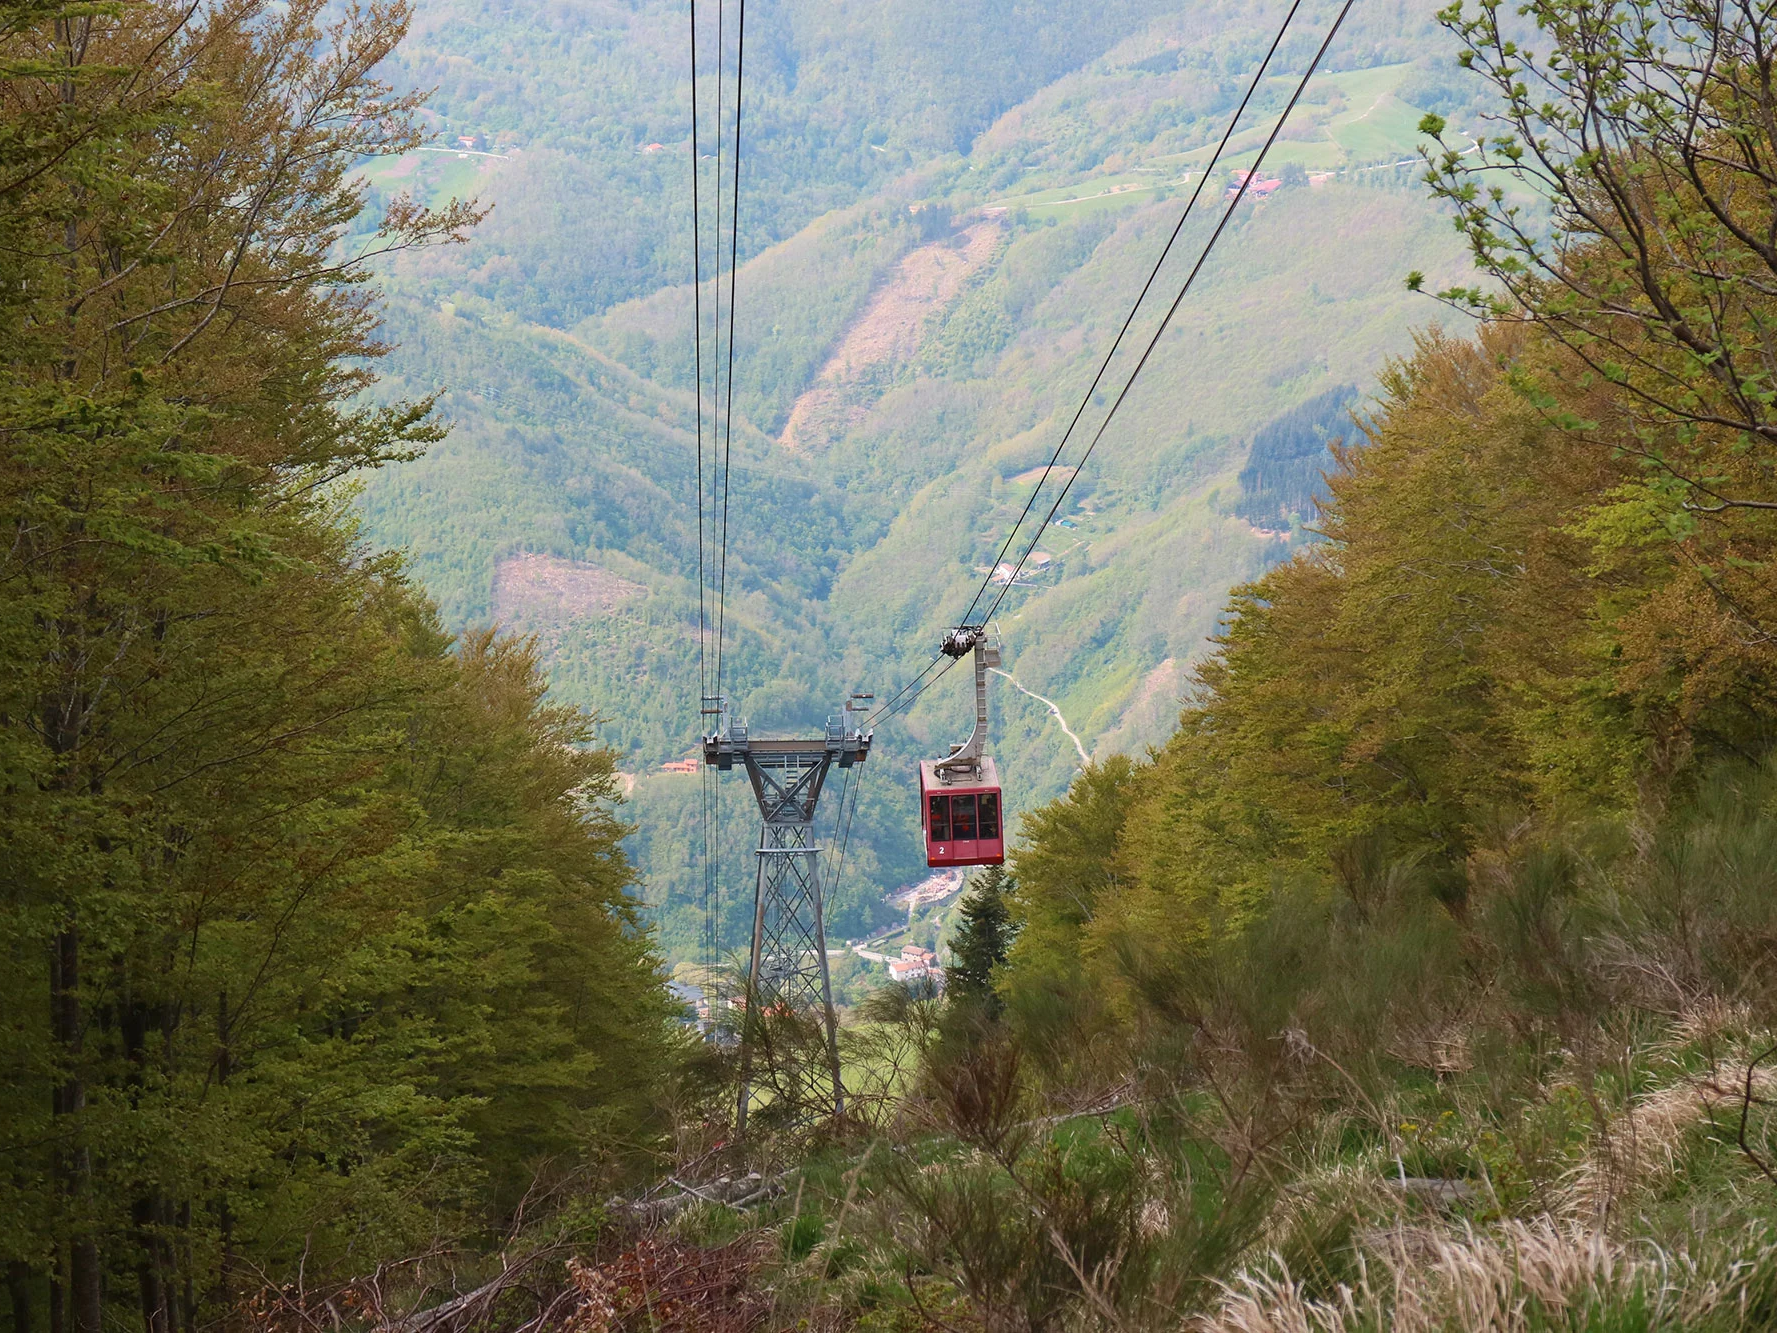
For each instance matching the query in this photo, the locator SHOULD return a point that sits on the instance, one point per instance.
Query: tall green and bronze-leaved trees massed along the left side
(317, 938)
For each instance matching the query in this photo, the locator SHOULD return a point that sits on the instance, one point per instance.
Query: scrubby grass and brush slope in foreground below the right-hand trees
(1549, 1110)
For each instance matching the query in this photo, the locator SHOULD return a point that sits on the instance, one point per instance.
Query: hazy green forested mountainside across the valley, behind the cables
(944, 218)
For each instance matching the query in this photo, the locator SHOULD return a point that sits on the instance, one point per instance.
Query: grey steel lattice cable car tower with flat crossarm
(788, 962)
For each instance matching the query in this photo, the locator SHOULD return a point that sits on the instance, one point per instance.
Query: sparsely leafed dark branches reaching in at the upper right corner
(1623, 202)
